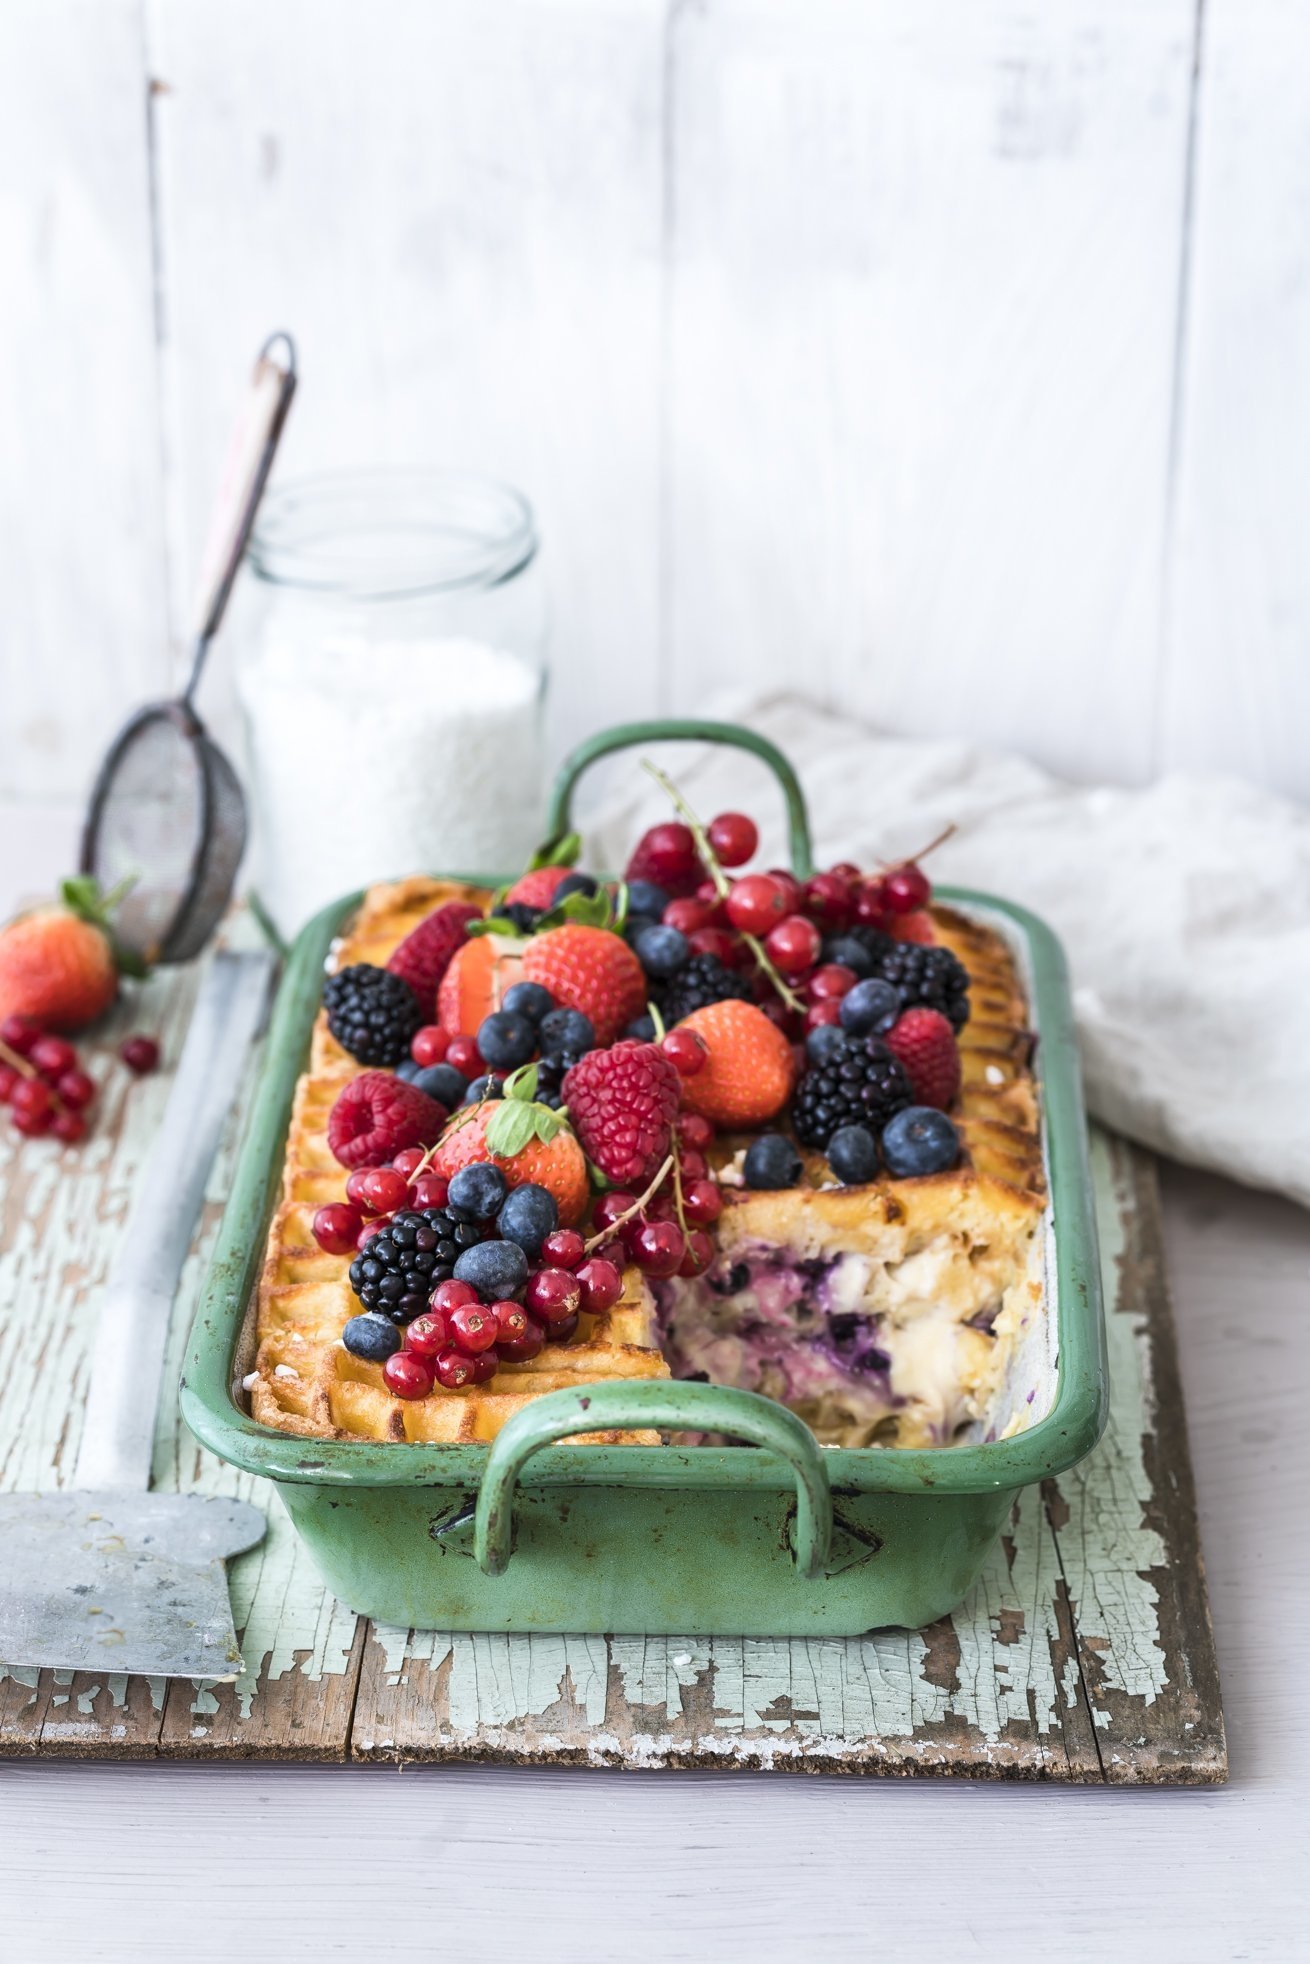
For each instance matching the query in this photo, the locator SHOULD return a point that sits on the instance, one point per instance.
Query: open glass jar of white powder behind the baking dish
(394, 686)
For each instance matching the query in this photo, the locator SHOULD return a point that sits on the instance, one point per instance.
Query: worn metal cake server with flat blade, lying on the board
(107, 1576)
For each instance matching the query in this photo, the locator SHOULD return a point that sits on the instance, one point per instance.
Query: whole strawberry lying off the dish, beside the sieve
(60, 965)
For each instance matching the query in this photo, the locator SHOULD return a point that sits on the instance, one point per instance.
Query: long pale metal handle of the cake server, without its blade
(133, 1331)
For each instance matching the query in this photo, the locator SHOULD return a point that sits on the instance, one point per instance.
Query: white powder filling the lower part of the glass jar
(376, 759)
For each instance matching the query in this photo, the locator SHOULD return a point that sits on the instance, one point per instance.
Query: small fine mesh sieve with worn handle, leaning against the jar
(168, 812)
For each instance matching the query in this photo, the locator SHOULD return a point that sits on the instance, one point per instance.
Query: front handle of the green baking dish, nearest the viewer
(665, 1407)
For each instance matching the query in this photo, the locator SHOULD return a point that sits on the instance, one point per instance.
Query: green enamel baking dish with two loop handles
(773, 1537)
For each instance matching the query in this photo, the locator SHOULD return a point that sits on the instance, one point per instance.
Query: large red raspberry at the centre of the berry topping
(624, 1105)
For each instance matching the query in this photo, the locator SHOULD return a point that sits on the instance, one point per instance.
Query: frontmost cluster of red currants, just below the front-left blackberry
(463, 1338)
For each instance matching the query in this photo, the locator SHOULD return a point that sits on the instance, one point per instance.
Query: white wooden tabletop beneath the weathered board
(207, 1861)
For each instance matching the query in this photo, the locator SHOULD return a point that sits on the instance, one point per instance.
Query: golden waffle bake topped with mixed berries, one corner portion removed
(897, 1309)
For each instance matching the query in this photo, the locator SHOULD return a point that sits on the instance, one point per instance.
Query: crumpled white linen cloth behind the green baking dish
(1183, 908)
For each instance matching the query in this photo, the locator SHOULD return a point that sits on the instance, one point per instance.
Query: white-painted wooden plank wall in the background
(948, 355)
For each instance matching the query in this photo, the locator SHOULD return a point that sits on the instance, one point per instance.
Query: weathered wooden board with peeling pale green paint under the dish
(1085, 1653)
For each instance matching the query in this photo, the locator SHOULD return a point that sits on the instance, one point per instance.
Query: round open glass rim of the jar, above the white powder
(392, 533)
